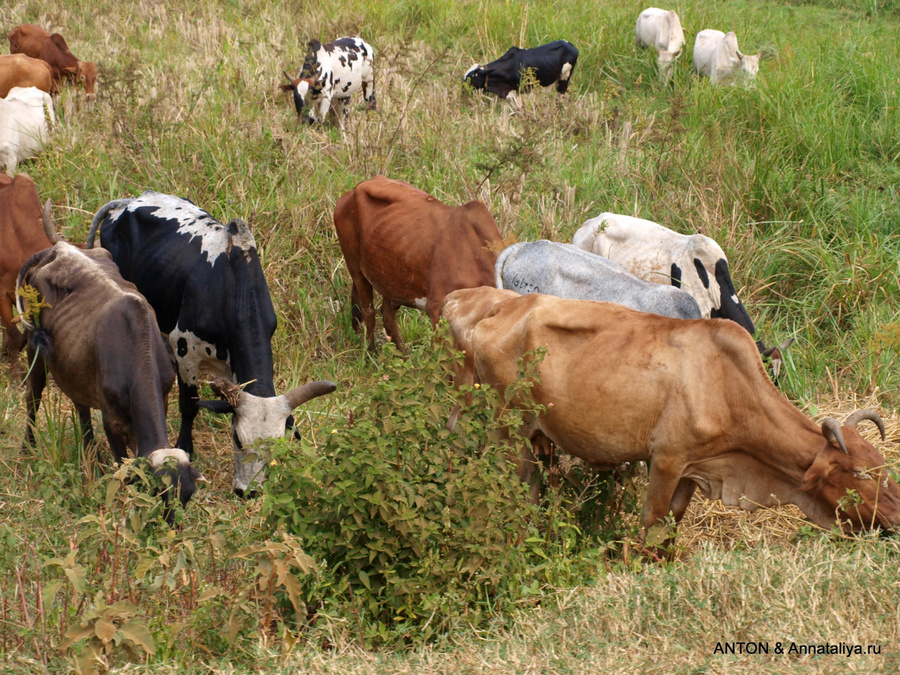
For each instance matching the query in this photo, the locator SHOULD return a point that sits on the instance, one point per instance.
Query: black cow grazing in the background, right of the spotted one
(549, 64)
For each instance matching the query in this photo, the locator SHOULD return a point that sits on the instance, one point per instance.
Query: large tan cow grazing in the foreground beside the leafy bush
(689, 397)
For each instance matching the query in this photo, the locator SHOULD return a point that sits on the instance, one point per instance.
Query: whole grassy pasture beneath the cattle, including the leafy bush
(797, 177)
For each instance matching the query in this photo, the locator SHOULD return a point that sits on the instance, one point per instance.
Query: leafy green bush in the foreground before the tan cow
(415, 527)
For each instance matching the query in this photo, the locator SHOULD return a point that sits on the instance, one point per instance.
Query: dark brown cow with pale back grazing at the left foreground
(98, 338)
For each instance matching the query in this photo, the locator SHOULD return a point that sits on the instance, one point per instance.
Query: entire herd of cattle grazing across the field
(650, 355)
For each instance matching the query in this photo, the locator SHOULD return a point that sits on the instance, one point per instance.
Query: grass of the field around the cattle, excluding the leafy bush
(797, 178)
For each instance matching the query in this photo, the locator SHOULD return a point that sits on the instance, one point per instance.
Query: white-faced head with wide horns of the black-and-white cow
(257, 418)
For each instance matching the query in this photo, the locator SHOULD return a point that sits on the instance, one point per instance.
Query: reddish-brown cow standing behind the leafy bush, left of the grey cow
(411, 248)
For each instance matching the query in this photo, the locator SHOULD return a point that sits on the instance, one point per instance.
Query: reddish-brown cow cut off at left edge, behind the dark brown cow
(21, 235)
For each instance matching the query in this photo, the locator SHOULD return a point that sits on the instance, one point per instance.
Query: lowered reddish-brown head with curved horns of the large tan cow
(848, 462)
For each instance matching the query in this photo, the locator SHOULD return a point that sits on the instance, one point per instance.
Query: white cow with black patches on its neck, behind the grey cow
(694, 262)
